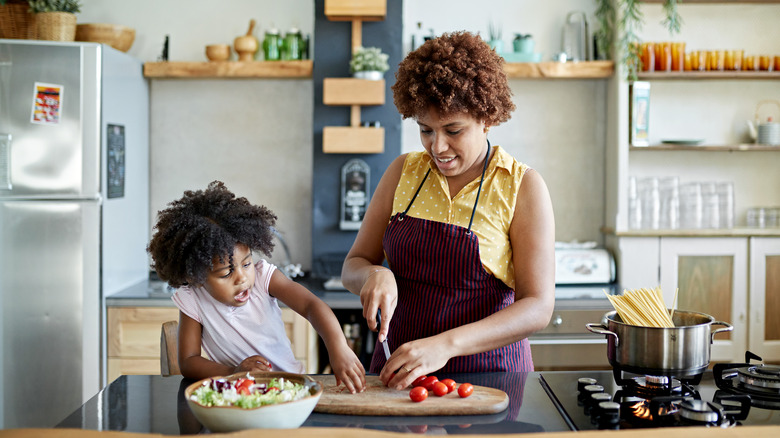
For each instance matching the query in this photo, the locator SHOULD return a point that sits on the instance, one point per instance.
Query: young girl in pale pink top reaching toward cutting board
(227, 303)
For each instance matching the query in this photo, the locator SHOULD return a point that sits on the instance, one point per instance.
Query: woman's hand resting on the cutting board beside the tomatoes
(414, 359)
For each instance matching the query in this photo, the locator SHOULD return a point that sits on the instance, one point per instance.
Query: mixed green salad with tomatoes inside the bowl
(247, 393)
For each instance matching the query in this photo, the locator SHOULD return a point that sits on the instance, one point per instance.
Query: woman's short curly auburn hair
(456, 72)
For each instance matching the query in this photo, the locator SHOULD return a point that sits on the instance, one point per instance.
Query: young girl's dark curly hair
(202, 225)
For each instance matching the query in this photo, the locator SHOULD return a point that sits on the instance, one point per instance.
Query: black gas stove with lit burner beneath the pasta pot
(731, 395)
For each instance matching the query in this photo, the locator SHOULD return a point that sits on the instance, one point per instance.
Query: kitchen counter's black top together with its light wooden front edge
(145, 405)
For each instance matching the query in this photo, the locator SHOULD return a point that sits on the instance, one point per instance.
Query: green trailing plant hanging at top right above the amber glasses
(620, 20)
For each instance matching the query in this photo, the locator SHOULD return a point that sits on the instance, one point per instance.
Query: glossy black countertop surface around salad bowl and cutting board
(155, 404)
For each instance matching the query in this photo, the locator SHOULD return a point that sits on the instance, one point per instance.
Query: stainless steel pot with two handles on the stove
(682, 350)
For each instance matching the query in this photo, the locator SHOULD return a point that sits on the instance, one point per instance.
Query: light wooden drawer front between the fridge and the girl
(134, 332)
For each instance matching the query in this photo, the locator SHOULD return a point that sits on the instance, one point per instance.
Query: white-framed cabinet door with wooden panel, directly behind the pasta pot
(711, 274)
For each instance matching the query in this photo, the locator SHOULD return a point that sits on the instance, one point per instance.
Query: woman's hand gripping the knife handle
(380, 291)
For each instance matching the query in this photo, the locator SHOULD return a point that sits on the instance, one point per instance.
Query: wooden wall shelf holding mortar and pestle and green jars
(229, 69)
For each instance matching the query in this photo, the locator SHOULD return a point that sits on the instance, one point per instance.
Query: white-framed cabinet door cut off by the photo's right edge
(765, 298)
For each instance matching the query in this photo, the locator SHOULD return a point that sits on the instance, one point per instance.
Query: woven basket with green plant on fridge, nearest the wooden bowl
(55, 20)
